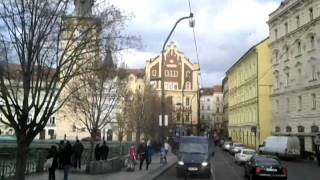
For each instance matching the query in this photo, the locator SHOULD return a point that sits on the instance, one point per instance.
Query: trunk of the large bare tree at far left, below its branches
(21, 160)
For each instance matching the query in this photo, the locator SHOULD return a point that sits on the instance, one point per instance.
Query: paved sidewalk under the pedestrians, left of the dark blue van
(155, 170)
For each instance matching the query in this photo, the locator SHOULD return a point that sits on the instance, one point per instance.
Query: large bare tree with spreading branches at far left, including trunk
(44, 49)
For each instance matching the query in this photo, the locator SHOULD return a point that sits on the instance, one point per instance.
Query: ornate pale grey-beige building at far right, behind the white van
(295, 46)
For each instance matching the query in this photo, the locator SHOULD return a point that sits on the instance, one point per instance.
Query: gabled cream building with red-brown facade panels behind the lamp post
(181, 86)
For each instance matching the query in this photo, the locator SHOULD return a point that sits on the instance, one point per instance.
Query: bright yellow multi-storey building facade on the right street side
(249, 81)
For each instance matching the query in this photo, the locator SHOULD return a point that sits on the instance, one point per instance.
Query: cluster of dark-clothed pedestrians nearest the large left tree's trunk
(63, 156)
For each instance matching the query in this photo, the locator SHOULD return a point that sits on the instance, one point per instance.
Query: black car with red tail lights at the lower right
(268, 167)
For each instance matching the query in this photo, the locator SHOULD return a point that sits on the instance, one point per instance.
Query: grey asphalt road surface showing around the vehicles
(224, 168)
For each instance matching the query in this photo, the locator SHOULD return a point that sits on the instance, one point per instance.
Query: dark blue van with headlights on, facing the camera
(194, 156)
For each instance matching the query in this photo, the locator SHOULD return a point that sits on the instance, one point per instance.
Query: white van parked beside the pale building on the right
(282, 146)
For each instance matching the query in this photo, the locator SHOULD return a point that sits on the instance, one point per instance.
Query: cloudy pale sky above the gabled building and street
(225, 29)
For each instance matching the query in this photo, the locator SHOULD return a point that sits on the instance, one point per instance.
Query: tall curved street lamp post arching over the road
(162, 73)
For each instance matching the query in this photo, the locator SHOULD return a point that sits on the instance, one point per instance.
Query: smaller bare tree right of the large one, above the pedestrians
(95, 97)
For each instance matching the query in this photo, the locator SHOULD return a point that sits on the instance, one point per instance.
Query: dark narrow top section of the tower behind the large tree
(83, 8)
